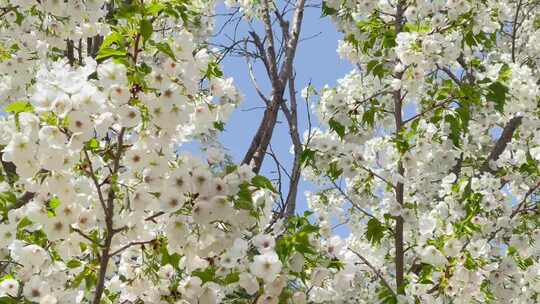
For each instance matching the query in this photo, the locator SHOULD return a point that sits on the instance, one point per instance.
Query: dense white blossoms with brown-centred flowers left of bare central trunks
(97, 205)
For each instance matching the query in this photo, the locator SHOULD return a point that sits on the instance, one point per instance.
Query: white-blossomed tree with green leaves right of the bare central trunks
(431, 152)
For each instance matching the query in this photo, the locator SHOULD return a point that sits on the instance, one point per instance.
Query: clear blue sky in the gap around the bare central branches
(316, 62)
